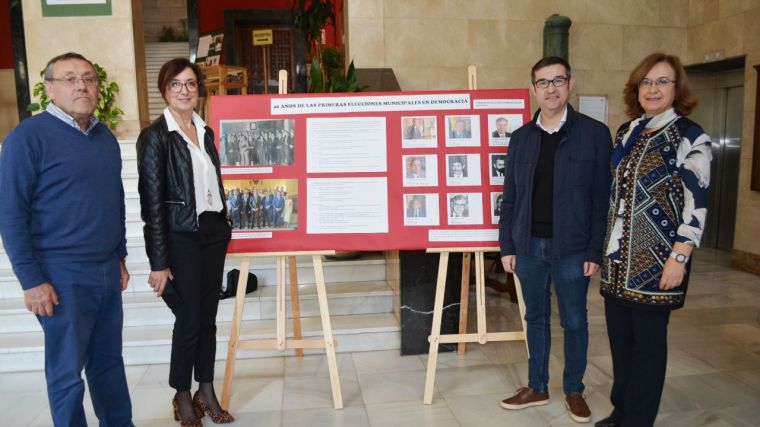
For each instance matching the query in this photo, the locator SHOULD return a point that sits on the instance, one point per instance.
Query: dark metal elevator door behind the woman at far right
(728, 102)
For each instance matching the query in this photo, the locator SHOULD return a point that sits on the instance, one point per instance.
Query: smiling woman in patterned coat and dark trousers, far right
(658, 204)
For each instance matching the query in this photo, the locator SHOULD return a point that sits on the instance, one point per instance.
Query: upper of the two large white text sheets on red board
(346, 144)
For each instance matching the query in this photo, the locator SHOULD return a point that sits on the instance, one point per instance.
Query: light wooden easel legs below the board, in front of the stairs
(281, 342)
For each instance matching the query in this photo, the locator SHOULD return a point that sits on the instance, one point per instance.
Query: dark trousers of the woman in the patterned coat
(639, 345)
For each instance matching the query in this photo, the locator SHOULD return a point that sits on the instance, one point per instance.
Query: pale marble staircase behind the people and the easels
(360, 303)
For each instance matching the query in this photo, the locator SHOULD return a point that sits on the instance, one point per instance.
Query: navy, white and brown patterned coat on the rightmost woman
(659, 196)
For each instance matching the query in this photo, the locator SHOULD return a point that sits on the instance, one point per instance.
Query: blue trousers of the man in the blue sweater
(85, 333)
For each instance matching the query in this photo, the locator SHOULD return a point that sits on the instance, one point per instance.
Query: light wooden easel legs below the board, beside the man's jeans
(482, 336)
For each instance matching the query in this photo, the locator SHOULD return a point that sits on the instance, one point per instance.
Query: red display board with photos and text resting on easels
(366, 171)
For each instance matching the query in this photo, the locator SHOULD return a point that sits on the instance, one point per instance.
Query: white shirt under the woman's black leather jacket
(207, 197)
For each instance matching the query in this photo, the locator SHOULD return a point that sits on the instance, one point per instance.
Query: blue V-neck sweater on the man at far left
(61, 196)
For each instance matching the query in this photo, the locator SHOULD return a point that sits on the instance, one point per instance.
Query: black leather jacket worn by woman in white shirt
(167, 191)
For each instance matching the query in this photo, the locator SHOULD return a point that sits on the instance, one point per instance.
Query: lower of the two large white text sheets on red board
(347, 205)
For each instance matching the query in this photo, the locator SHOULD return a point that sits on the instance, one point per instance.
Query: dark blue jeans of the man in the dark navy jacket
(536, 270)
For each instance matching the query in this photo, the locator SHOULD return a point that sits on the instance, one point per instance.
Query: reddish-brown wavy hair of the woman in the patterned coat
(684, 101)
